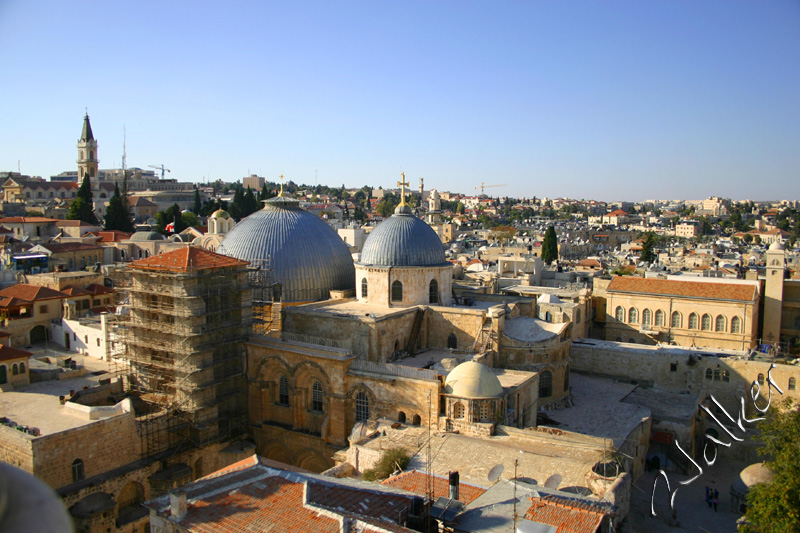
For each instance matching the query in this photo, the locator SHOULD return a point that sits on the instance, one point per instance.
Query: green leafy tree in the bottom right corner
(773, 506)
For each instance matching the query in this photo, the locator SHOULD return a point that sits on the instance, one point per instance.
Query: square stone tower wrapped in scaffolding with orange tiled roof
(181, 342)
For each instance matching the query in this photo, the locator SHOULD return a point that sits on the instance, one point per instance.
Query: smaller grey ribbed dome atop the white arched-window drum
(403, 240)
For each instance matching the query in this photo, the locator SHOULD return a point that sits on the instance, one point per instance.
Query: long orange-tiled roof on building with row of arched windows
(684, 289)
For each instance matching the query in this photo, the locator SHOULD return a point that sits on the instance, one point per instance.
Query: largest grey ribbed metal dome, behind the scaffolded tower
(306, 256)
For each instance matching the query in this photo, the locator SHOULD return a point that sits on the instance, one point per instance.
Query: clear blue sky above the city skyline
(605, 100)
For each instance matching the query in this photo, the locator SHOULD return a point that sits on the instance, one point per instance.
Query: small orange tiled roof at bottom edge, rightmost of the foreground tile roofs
(568, 516)
